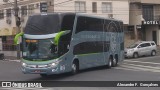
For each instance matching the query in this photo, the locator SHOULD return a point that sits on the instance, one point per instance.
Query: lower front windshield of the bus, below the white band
(39, 49)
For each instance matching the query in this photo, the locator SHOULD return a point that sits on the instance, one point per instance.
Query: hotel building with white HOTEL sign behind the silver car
(144, 20)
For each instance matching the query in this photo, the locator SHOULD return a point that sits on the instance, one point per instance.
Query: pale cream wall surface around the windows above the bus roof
(120, 8)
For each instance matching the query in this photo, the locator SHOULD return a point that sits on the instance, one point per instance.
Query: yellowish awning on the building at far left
(8, 32)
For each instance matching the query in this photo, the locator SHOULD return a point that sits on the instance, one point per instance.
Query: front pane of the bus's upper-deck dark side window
(89, 24)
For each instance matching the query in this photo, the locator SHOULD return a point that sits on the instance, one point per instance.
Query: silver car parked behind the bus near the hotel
(141, 48)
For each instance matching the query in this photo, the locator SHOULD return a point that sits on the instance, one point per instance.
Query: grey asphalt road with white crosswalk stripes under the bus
(141, 69)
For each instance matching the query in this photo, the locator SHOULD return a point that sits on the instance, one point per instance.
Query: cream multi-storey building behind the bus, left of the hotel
(117, 9)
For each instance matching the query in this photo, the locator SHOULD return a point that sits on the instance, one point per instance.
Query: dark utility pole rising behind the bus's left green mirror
(17, 19)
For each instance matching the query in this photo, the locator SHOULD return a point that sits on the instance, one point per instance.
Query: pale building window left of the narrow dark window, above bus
(80, 6)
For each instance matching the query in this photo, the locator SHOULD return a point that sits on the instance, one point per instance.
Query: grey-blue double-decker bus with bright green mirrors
(67, 42)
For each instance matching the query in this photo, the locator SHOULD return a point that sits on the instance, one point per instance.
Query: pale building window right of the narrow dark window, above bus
(106, 7)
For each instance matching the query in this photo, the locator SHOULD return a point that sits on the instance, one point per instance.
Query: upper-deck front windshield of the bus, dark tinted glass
(42, 24)
